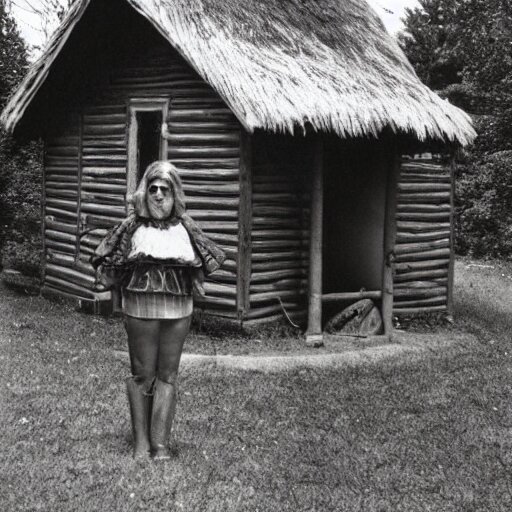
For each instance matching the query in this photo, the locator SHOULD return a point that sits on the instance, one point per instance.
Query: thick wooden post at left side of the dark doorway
(314, 336)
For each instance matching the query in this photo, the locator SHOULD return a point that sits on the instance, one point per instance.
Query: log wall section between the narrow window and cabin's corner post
(205, 146)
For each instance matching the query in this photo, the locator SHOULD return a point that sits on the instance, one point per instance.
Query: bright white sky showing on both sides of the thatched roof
(389, 10)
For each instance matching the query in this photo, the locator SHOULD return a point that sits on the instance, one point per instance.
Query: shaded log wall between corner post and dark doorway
(280, 241)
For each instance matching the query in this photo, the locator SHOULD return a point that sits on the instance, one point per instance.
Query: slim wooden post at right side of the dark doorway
(389, 243)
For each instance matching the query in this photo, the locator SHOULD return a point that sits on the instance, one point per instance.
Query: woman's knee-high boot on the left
(140, 409)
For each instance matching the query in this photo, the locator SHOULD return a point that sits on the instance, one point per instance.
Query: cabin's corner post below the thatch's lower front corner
(244, 227)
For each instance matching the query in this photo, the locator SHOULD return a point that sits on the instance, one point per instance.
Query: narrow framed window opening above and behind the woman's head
(145, 142)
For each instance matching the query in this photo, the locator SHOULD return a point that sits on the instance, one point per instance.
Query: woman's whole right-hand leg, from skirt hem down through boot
(172, 337)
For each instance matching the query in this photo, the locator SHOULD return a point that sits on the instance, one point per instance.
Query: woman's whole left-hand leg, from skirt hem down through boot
(143, 338)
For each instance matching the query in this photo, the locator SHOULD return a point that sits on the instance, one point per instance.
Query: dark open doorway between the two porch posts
(354, 212)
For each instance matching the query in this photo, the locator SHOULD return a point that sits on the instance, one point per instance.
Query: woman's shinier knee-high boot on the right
(162, 415)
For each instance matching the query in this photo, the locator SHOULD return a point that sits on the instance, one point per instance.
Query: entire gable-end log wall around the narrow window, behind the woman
(86, 171)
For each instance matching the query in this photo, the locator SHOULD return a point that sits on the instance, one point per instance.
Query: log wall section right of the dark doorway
(423, 242)
